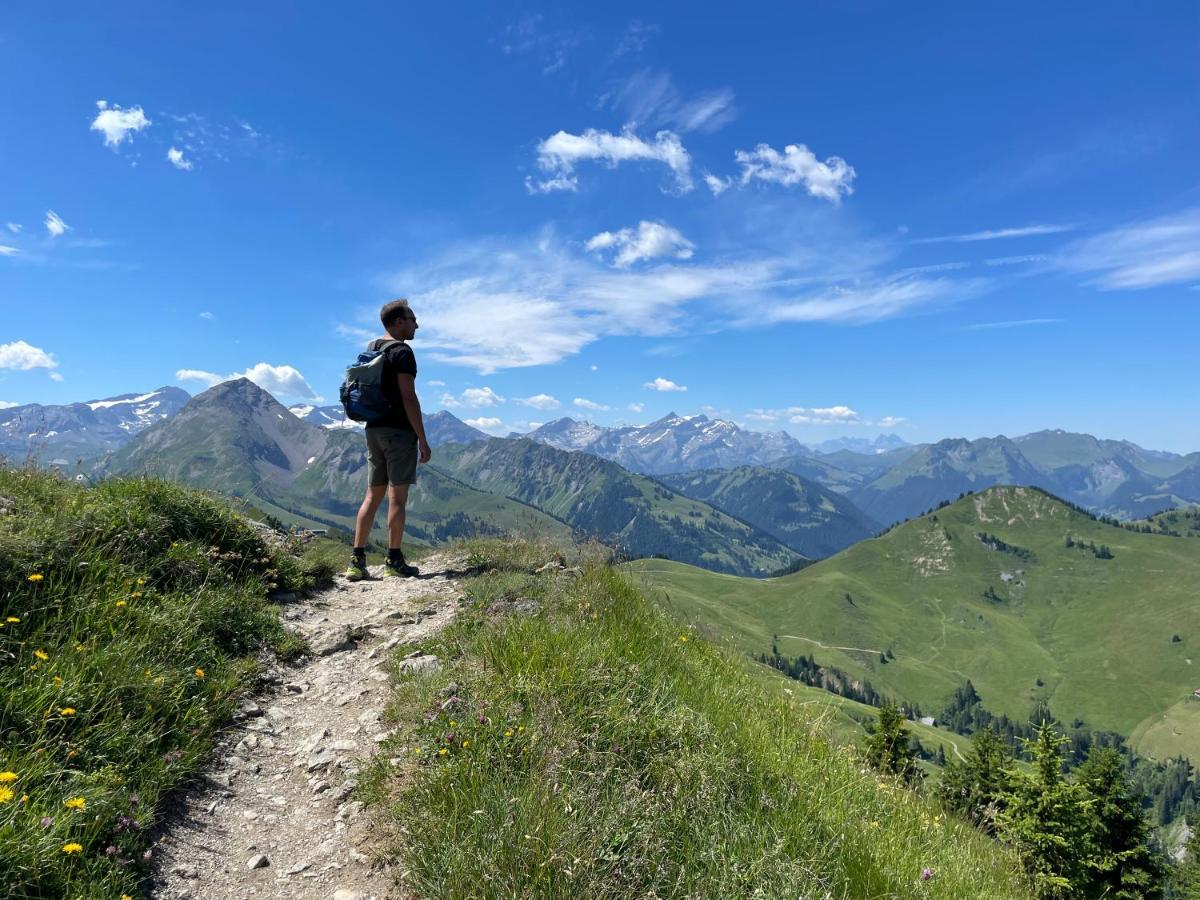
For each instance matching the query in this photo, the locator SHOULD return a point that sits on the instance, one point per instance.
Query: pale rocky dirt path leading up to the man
(273, 817)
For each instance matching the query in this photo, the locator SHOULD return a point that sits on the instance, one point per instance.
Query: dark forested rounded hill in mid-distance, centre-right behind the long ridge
(813, 521)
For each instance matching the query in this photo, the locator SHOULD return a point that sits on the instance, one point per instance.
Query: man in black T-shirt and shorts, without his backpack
(394, 445)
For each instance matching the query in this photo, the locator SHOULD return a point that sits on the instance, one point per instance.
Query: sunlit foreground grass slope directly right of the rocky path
(599, 749)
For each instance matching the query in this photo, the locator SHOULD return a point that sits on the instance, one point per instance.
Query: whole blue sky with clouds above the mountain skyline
(835, 219)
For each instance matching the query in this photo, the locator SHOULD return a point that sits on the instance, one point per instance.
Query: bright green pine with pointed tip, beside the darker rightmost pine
(1049, 820)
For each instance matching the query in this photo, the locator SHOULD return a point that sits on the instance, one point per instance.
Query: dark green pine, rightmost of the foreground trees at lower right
(1125, 866)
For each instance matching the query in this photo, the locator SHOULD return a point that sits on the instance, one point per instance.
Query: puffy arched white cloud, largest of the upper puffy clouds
(561, 153)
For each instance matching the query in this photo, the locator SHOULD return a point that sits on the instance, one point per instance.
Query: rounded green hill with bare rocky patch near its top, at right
(1097, 633)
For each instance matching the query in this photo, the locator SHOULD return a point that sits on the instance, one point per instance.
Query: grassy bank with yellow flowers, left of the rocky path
(133, 616)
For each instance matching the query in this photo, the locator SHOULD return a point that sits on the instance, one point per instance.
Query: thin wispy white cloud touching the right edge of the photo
(1142, 255)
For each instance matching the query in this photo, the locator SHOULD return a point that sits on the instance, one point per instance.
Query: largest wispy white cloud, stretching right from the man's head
(499, 304)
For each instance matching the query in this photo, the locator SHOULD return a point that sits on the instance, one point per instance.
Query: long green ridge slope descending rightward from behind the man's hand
(599, 499)
